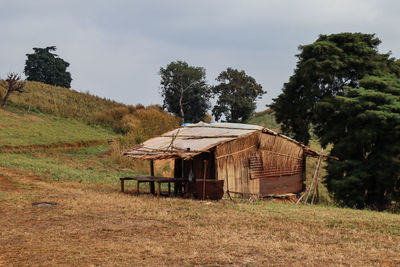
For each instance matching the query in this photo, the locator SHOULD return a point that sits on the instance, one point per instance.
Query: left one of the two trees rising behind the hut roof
(185, 91)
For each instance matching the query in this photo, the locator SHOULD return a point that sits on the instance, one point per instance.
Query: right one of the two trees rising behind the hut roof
(237, 93)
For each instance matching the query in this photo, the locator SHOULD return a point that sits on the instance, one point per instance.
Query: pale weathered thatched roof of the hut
(193, 139)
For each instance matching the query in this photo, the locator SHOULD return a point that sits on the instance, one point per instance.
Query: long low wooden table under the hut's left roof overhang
(152, 180)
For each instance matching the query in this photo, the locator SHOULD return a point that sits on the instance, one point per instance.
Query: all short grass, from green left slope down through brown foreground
(93, 224)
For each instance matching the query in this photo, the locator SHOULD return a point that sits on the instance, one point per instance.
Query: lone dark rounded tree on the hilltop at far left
(45, 66)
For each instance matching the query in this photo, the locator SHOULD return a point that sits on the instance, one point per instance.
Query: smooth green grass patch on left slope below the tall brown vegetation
(18, 128)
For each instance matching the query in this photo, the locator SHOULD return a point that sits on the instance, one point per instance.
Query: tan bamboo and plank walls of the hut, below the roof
(260, 164)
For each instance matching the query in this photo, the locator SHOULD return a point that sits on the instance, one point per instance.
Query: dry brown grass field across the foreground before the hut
(93, 226)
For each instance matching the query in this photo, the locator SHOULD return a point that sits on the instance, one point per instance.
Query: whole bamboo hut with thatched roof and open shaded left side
(249, 159)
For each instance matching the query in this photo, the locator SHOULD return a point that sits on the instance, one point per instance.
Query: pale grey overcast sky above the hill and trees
(116, 48)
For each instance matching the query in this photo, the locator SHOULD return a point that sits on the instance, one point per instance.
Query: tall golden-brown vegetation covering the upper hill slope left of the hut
(137, 122)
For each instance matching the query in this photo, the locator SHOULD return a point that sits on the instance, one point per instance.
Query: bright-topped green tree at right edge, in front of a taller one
(364, 127)
